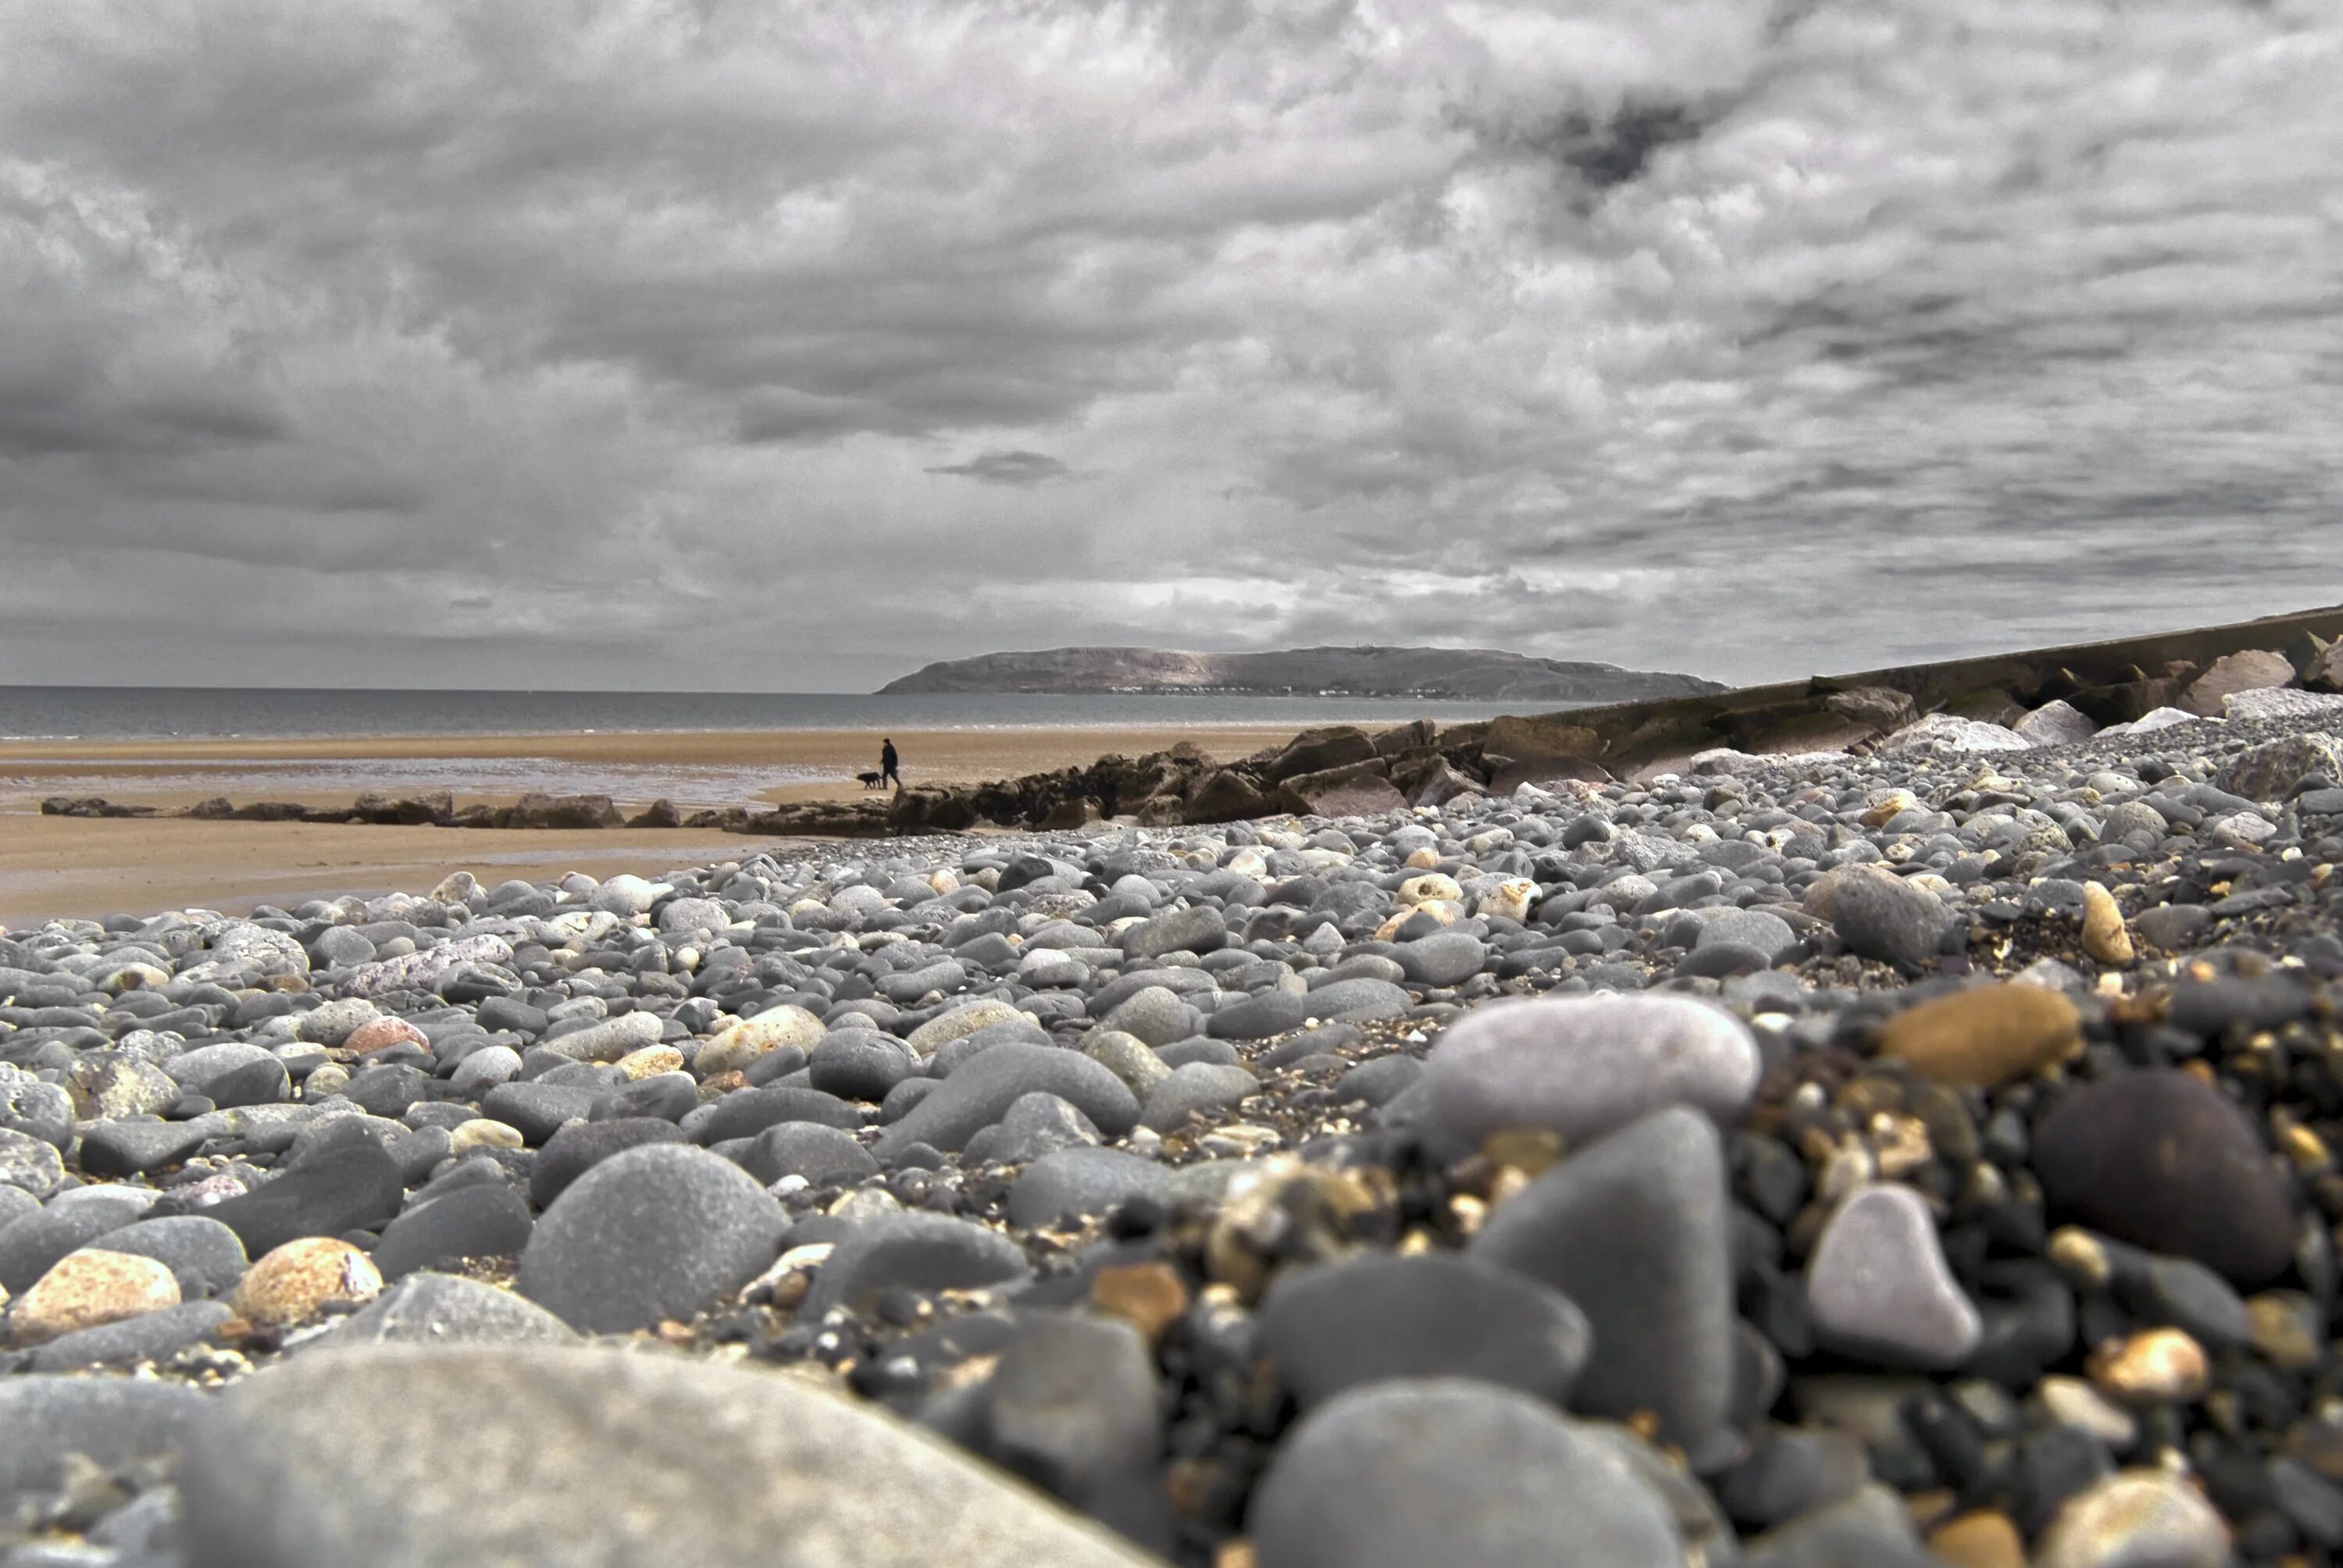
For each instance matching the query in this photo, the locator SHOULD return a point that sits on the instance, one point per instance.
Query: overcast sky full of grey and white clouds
(756, 346)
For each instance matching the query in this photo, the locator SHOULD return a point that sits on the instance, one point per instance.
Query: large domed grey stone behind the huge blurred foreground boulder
(650, 1234)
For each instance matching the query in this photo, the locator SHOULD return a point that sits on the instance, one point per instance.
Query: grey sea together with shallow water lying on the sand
(357, 716)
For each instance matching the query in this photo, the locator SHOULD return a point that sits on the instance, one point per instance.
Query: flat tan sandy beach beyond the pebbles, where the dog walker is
(90, 868)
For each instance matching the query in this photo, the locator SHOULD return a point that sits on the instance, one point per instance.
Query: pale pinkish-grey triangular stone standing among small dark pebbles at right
(1878, 1286)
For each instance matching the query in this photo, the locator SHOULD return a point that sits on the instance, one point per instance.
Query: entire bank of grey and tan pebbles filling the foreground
(1922, 1157)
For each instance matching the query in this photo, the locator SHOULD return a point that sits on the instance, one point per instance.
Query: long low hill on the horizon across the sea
(1459, 674)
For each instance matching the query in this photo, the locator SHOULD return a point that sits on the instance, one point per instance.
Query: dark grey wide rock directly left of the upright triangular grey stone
(1435, 1316)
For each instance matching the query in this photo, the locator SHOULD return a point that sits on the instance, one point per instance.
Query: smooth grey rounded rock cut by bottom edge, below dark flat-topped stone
(1447, 1471)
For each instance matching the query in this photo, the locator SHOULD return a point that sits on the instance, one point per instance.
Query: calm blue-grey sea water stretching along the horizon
(153, 714)
